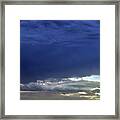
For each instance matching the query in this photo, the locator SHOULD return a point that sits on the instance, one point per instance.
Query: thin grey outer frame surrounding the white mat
(60, 2)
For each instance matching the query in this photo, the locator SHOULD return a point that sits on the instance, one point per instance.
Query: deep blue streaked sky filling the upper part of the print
(59, 48)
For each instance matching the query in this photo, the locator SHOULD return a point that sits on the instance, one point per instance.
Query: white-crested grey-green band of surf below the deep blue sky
(64, 84)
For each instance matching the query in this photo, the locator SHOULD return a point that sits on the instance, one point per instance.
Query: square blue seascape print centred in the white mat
(59, 59)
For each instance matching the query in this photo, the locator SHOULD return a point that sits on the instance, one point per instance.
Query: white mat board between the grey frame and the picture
(13, 15)
